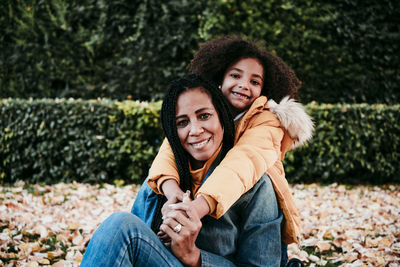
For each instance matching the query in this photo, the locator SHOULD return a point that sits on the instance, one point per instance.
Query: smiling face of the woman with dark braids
(198, 125)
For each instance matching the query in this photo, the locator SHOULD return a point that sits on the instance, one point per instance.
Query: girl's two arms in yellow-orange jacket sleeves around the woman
(257, 149)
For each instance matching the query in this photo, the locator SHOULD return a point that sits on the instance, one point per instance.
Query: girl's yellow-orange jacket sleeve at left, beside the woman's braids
(162, 168)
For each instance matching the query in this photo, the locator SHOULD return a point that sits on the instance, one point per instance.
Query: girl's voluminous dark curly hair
(217, 55)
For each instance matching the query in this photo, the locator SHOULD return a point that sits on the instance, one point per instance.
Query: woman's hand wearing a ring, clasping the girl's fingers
(183, 237)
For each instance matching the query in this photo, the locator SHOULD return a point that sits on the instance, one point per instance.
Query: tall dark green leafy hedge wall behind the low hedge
(343, 50)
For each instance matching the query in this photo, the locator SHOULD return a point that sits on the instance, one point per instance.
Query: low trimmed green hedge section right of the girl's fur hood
(352, 144)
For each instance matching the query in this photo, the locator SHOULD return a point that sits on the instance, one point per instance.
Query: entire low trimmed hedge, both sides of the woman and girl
(101, 141)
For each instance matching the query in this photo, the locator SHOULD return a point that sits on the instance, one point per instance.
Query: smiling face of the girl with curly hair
(243, 82)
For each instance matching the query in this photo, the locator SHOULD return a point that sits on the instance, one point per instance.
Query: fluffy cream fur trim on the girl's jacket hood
(294, 119)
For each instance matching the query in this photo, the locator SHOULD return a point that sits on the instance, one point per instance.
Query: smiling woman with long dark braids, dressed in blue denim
(200, 130)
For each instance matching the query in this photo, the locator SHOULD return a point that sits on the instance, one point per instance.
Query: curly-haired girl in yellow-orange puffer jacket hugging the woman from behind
(248, 77)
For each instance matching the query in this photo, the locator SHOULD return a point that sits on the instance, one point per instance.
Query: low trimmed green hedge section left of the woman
(66, 140)
